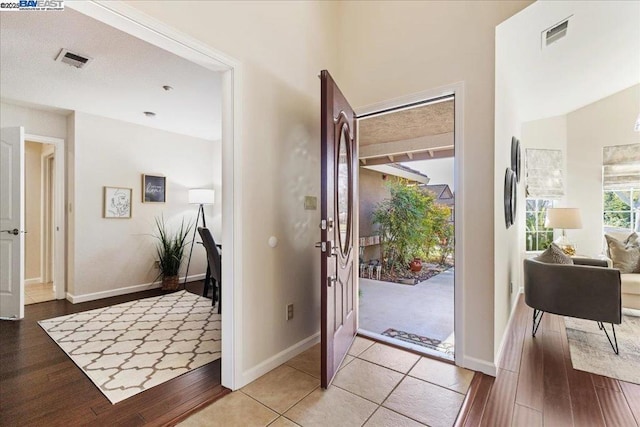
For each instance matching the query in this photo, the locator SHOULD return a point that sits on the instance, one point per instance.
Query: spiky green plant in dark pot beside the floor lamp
(170, 250)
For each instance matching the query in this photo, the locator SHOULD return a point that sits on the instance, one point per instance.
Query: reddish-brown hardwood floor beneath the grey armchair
(537, 385)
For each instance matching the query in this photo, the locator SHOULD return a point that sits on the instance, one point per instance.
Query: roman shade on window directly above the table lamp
(544, 174)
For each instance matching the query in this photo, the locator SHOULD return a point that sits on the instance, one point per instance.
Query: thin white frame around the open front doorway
(457, 90)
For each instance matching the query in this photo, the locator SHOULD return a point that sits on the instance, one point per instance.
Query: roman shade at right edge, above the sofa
(621, 167)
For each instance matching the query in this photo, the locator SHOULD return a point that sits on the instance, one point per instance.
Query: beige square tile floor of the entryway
(376, 385)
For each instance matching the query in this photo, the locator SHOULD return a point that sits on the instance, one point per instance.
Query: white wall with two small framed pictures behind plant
(111, 254)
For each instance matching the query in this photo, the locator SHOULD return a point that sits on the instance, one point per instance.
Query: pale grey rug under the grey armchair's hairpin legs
(591, 352)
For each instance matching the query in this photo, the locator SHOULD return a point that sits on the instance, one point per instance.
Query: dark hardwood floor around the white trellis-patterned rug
(40, 385)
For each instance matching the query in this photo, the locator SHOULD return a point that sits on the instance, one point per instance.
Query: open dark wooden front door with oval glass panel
(338, 282)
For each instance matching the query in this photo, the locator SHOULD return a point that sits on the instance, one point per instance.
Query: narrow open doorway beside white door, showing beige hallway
(39, 248)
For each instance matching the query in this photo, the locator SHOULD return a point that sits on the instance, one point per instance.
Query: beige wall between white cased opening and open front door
(282, 47)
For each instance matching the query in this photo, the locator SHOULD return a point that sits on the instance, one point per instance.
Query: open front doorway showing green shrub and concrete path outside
(407, 205)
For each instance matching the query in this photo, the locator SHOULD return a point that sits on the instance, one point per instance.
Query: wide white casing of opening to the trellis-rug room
(140, 25)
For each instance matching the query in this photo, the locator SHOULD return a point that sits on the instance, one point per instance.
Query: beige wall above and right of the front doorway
(391, 49)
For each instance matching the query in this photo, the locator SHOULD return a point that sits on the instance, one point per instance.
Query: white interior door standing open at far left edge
(11, 223)
